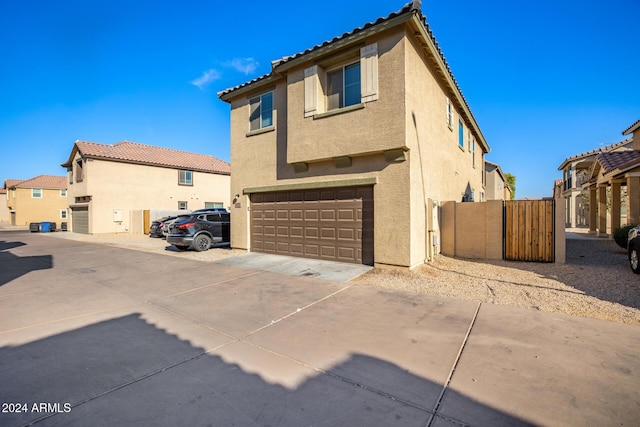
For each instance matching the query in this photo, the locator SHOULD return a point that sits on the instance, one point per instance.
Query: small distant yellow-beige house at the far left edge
(39, 199)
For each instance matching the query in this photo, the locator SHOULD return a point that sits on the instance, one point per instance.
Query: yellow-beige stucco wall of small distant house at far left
(29, 209)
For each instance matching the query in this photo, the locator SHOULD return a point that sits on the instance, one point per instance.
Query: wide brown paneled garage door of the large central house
(335, 224)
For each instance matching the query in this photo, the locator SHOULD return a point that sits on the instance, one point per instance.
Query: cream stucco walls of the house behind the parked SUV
(130, 188)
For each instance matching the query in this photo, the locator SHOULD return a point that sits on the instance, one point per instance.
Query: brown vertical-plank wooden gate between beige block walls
(529, 230)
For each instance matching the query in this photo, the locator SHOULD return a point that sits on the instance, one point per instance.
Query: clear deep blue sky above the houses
(545, 80)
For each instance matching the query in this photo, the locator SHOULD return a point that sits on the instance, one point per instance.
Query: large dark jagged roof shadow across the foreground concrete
(126, 371)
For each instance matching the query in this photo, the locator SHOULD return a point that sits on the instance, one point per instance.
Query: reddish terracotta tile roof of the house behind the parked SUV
(133, 152)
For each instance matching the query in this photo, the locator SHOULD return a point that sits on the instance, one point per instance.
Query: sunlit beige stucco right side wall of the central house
(440, 169)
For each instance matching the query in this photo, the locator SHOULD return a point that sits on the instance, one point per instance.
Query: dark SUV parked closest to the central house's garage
(199, 230)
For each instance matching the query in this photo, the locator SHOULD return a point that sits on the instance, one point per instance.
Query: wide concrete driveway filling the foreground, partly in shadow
(97, 335)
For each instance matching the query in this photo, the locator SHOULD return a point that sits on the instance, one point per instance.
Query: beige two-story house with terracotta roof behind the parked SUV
(109, 185)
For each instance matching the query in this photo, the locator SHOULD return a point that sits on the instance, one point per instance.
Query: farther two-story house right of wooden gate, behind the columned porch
(575, 172)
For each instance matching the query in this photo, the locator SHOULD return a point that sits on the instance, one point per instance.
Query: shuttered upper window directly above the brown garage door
(338, 82)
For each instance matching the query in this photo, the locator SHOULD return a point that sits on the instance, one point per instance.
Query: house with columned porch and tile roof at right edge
(613, 177)
